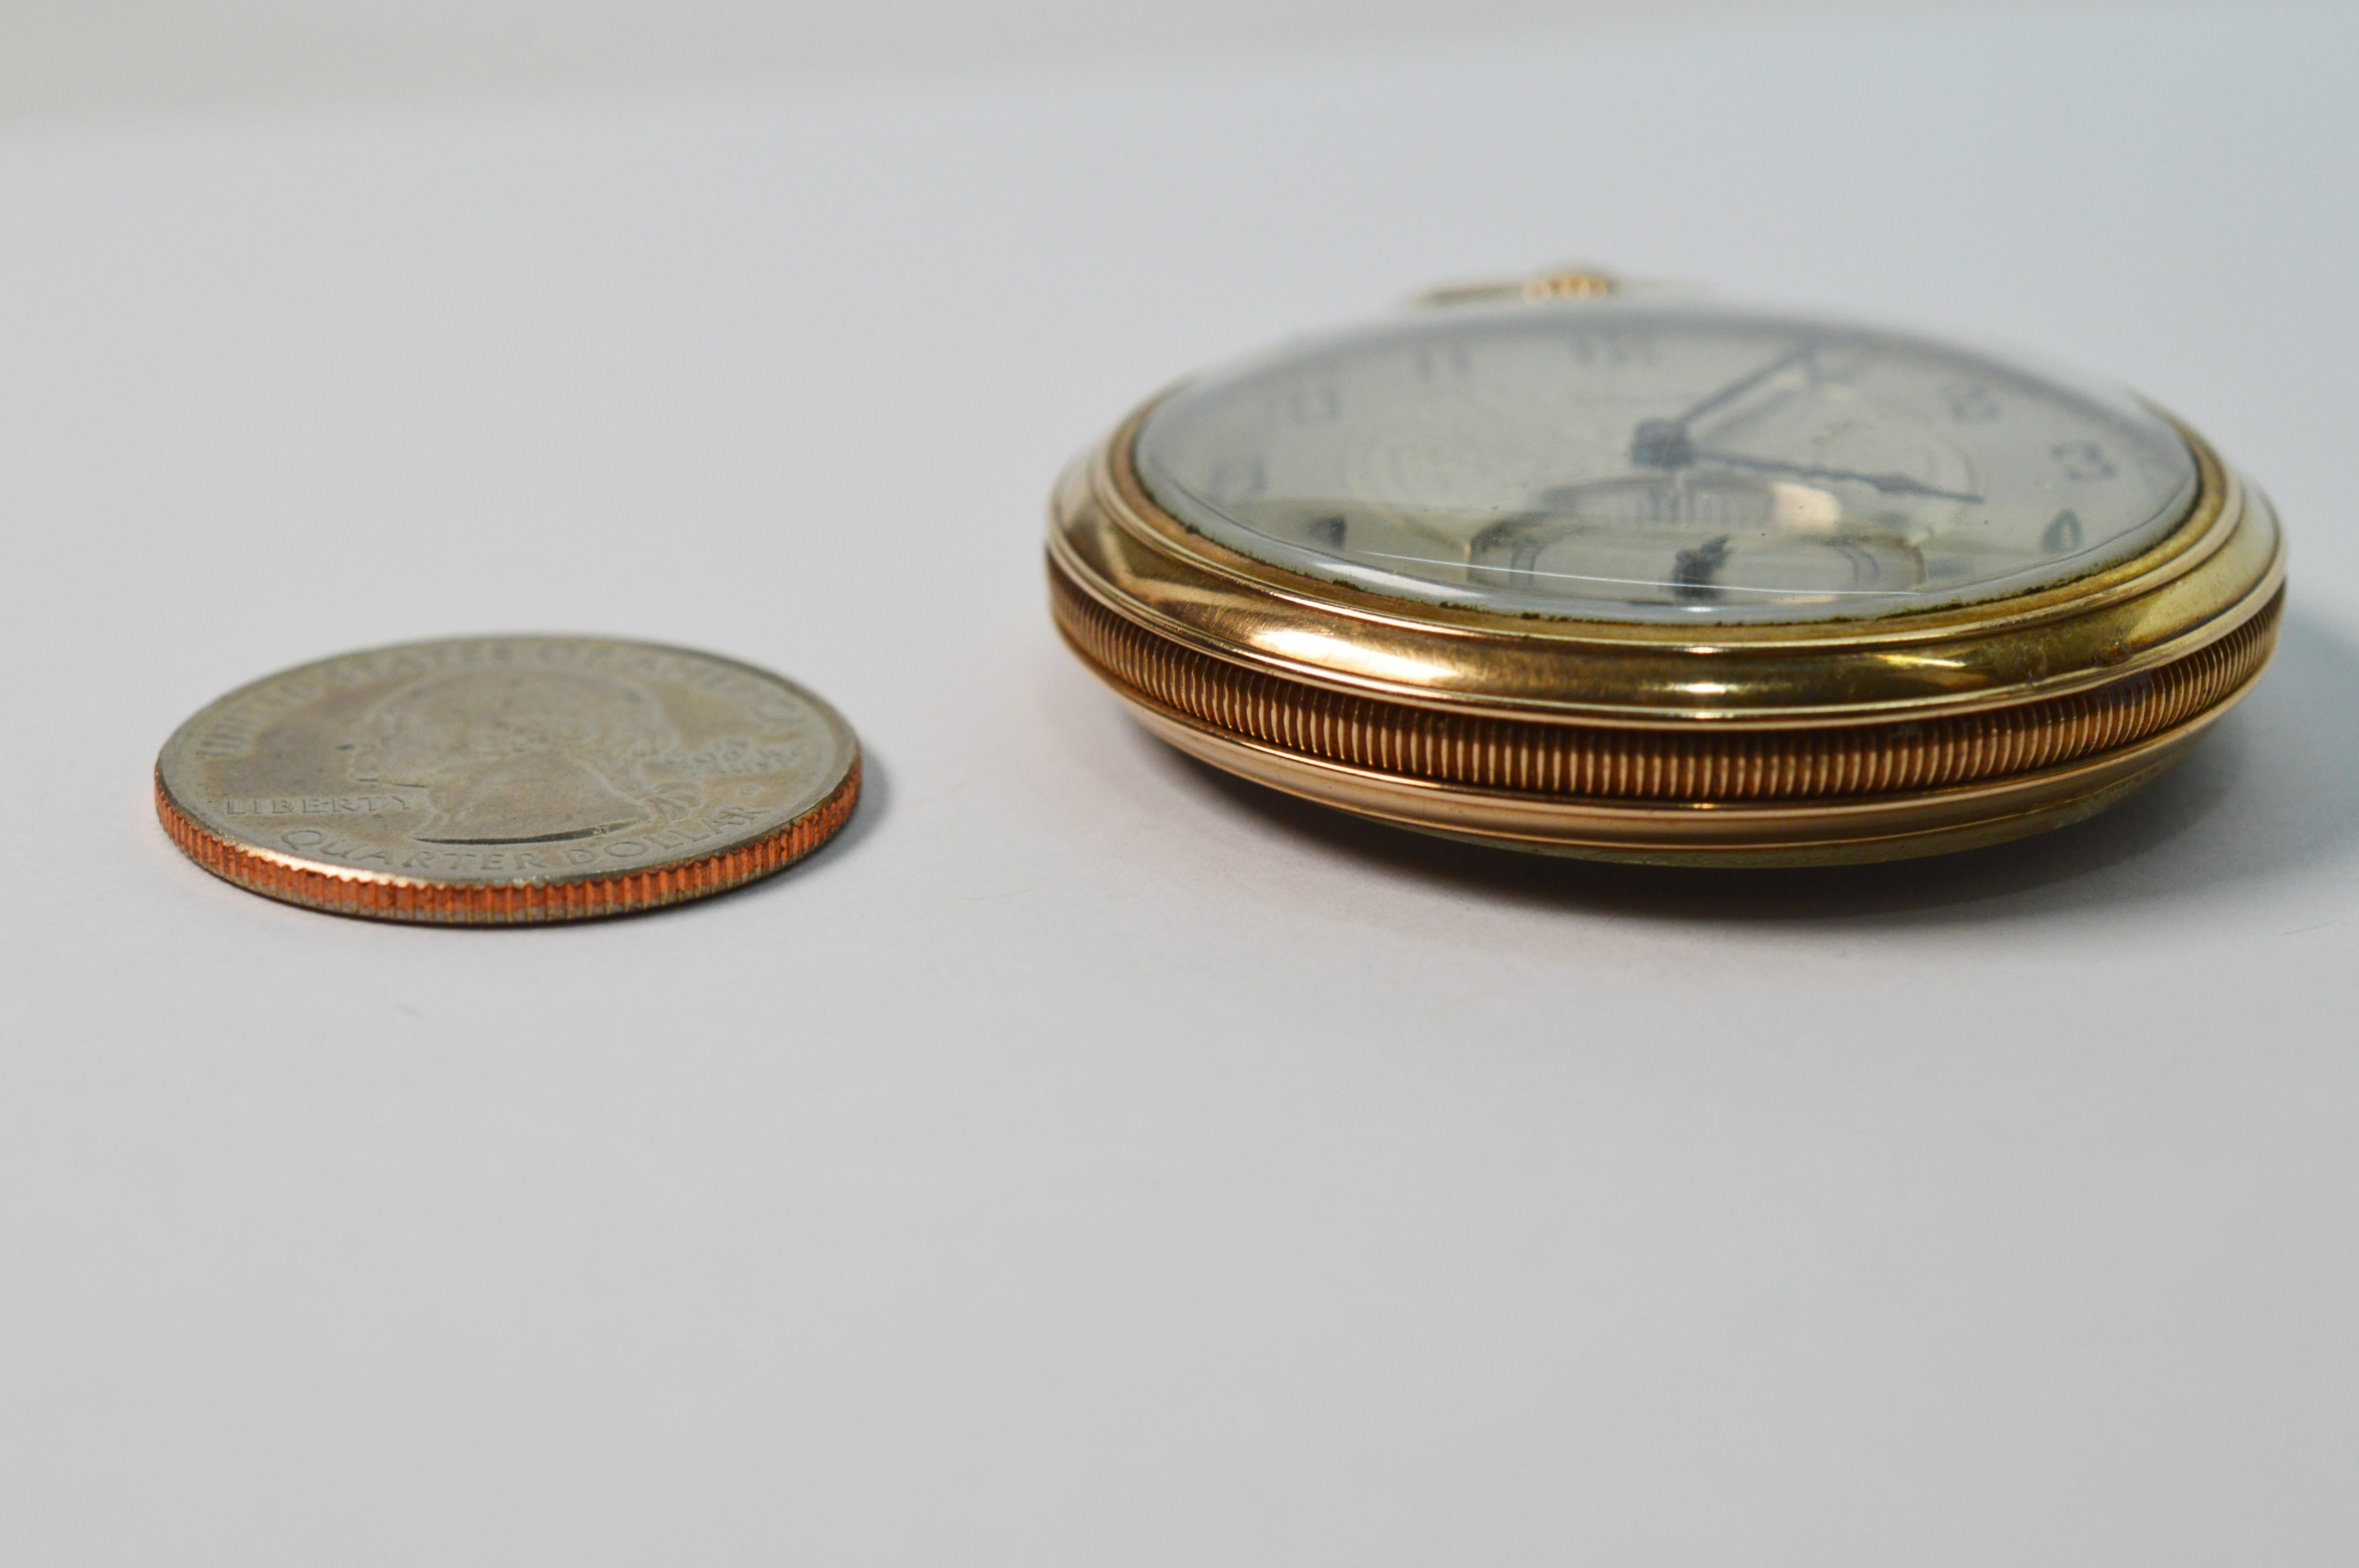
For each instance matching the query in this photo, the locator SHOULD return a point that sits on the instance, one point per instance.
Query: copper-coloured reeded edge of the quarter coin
(525, 902)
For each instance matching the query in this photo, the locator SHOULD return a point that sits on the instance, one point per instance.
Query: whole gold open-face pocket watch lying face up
(1631, 577)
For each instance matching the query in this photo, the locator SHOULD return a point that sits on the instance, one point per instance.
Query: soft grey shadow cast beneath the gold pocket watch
(2268, 793)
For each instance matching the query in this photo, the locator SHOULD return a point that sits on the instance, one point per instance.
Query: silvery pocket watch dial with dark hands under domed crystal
(1622, 461)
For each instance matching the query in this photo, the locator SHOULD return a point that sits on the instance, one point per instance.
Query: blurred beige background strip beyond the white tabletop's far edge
(110, 58)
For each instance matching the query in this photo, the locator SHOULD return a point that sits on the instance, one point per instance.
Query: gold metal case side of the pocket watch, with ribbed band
(1690, 744)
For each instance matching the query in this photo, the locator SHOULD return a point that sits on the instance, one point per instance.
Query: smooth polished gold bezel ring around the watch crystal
(2216, 569)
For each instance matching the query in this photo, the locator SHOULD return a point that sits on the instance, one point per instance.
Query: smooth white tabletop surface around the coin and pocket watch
(1086, 1159)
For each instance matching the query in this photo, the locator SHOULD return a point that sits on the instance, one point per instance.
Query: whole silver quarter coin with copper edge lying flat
(508, 779)
